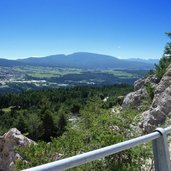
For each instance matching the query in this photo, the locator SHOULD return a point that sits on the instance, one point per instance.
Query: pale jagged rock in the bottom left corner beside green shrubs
(8, 142)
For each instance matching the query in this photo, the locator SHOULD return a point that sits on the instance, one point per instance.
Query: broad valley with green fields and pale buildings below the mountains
(23, 78)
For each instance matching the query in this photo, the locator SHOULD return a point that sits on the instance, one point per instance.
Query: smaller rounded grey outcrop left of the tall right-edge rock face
(140, 93)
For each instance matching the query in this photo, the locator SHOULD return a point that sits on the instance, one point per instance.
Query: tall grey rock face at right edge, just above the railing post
(160, 109)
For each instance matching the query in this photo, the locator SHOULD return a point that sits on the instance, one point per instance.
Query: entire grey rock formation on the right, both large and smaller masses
(160, 108)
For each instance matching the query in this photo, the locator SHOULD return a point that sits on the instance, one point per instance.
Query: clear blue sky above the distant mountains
(121, 28)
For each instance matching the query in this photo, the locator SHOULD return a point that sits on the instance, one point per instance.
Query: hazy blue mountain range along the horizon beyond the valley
(82, 60)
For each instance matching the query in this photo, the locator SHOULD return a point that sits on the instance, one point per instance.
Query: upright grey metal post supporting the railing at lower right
(161, 152)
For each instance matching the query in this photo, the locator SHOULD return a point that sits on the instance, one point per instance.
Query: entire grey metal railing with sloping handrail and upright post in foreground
(160, 152)
